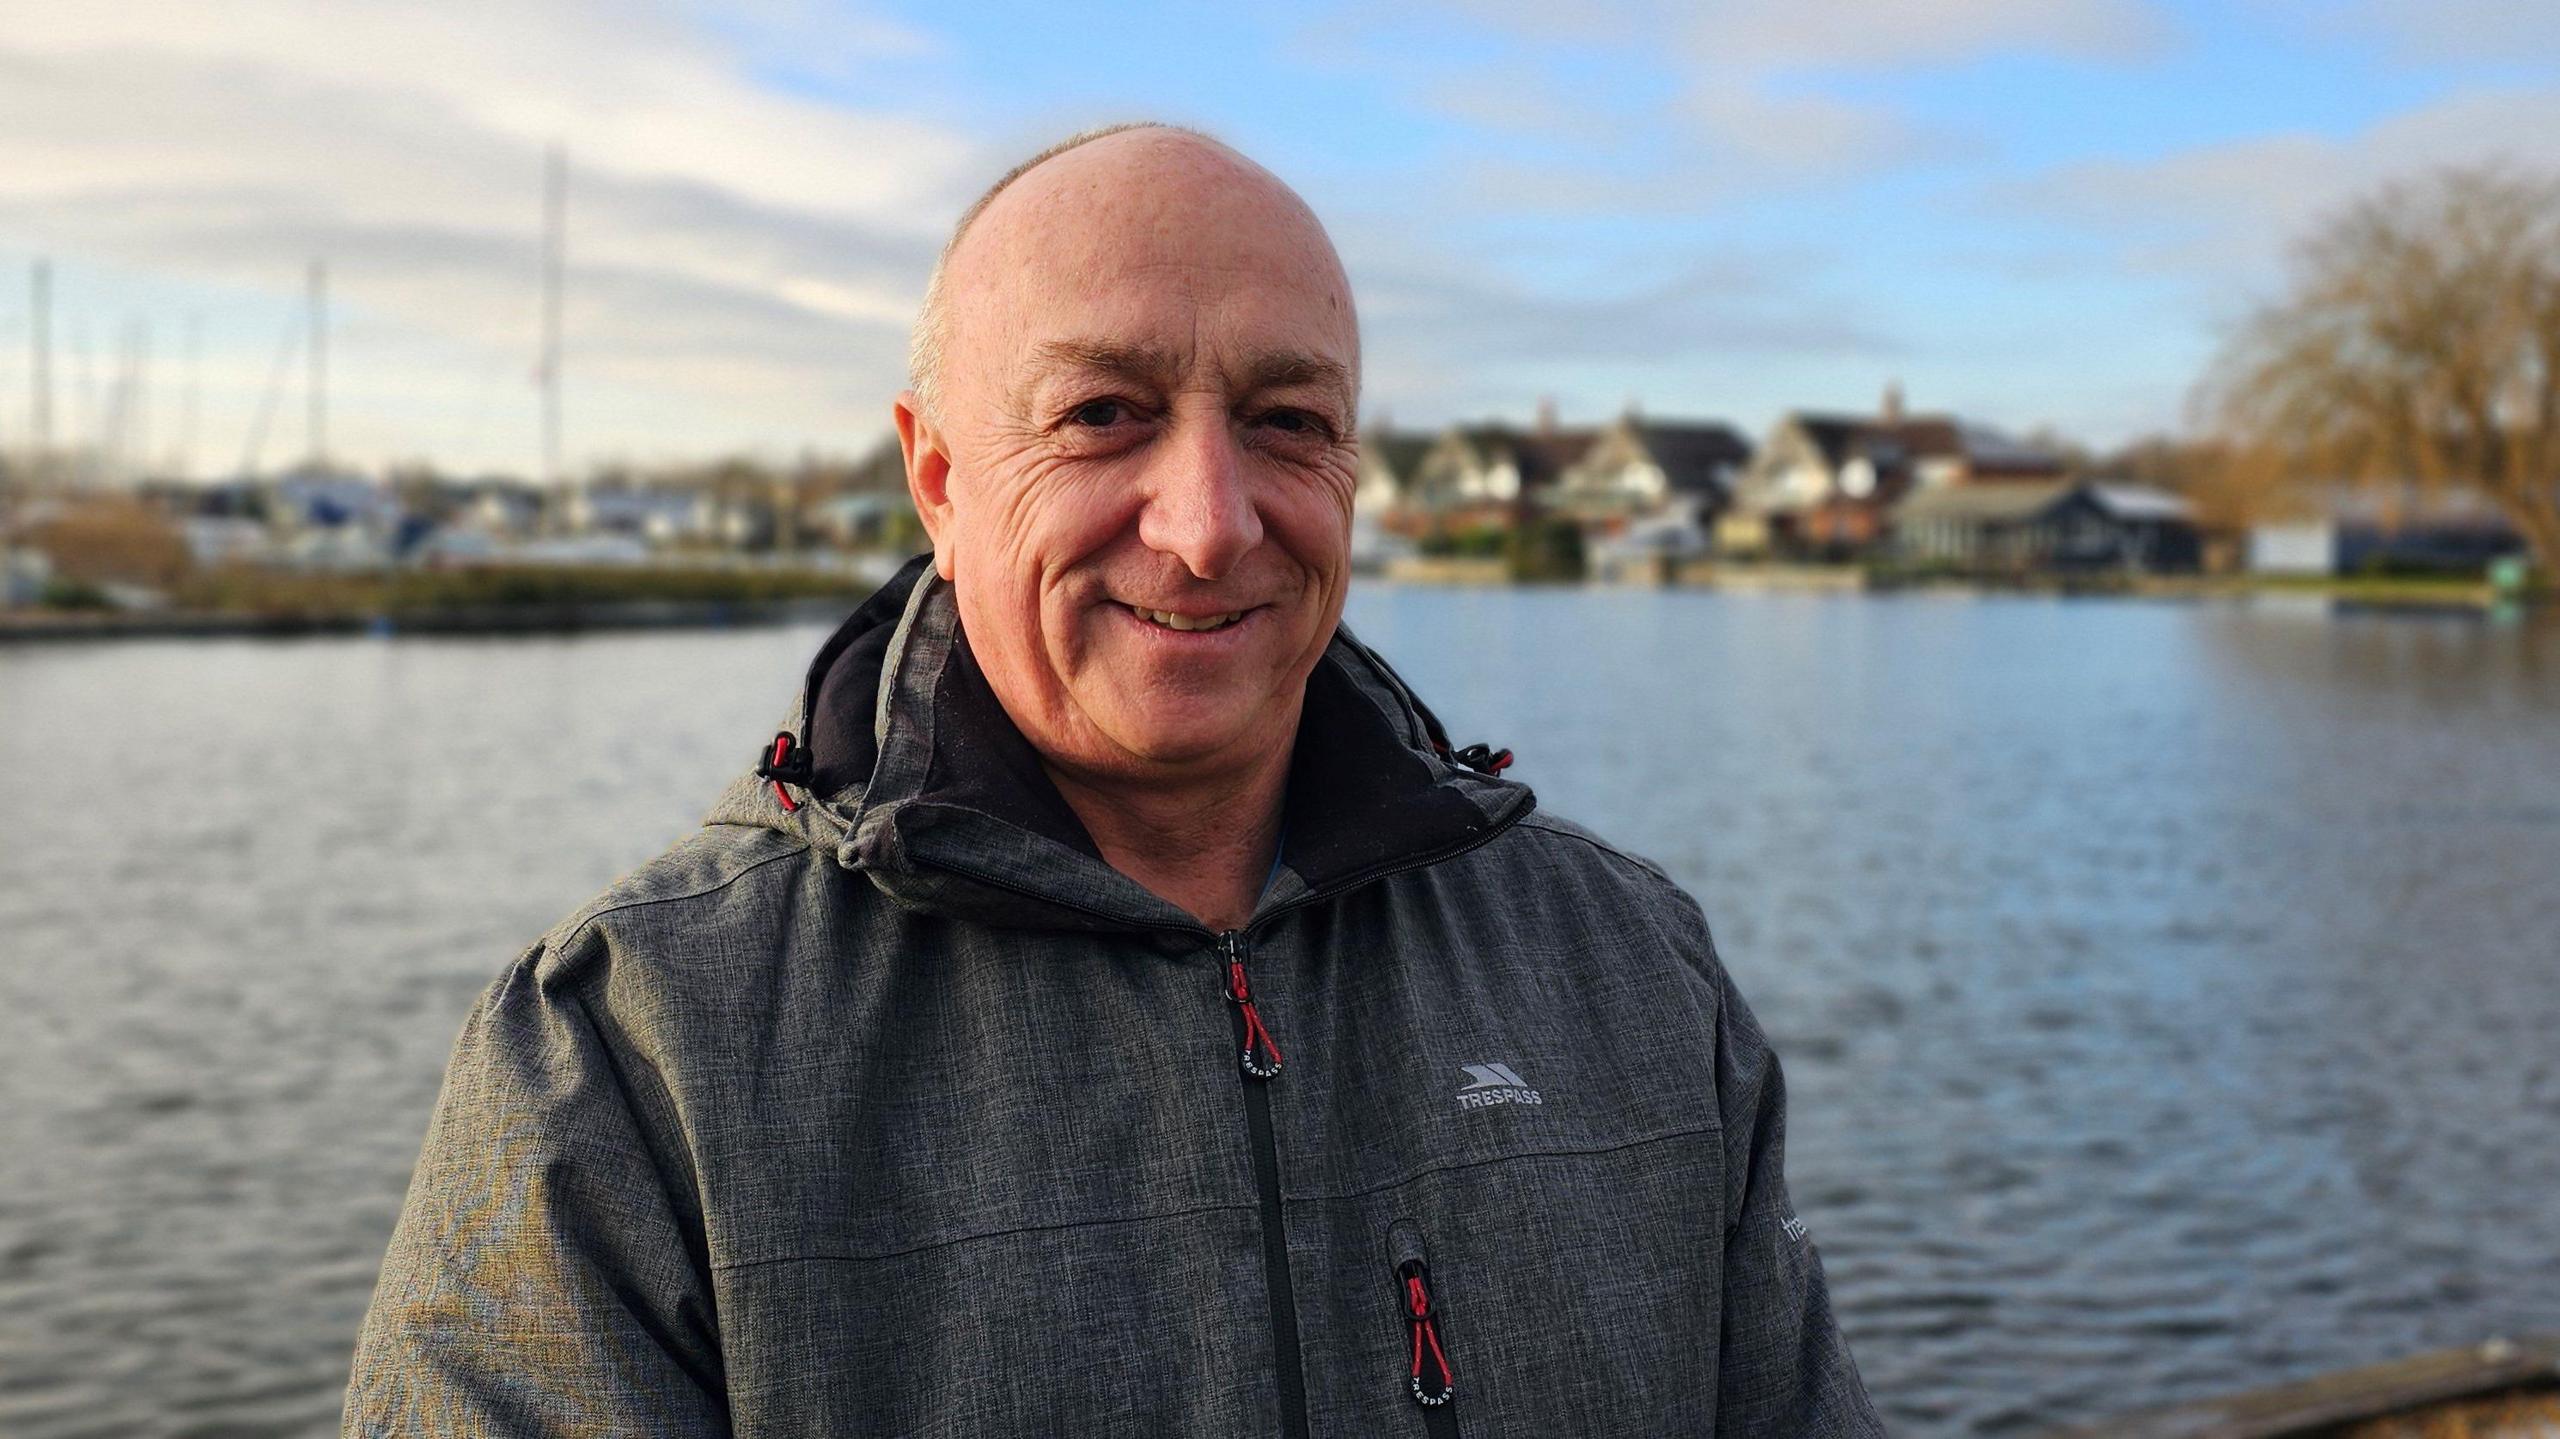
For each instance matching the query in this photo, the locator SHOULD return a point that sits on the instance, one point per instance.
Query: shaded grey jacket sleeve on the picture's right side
(1783, 1363)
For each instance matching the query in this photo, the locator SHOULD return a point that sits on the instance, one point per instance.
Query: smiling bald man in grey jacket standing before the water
(1112, 1005)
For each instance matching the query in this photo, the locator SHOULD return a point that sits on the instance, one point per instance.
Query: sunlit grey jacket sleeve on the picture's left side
(541, 1279)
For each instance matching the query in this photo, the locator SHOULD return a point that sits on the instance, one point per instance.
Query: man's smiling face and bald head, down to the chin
(1148, 424)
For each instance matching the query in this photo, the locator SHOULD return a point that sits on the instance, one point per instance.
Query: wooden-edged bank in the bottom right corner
(2505, 1389)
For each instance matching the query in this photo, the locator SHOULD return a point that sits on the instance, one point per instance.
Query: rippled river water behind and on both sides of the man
(2167, 992)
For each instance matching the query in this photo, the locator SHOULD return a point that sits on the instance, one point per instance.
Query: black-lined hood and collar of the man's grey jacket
(902, 764)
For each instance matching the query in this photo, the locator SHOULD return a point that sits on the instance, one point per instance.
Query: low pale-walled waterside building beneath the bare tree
(2397, 529)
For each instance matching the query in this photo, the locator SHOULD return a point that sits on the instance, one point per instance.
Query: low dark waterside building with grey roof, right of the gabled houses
(2047, 526)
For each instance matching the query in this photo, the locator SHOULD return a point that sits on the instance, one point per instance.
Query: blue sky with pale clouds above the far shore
(2034, 214)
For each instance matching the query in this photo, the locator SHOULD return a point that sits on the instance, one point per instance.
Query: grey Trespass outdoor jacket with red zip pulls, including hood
(887, 1107)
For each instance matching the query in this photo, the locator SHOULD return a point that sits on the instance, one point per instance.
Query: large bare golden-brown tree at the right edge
(2418, 342)
